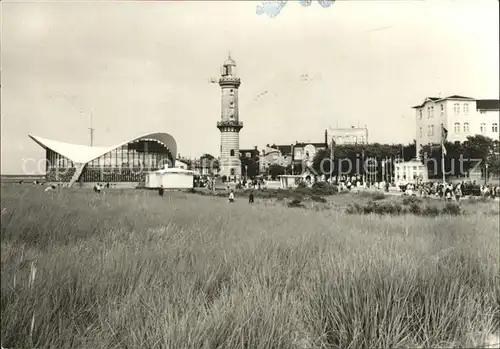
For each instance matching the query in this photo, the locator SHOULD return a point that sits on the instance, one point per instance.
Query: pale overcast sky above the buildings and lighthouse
(140, 67)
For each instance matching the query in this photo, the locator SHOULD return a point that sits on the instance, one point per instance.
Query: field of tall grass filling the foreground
(128, 269)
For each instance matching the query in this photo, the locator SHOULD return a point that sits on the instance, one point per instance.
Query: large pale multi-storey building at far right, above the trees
(461, 116)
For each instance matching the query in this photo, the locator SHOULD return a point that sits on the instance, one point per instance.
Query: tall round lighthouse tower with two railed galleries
(229, 125)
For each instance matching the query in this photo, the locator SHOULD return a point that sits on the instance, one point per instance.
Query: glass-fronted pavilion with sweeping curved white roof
(124, 162)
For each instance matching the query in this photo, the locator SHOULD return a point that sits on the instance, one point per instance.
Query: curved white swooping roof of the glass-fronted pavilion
(84, 153)
